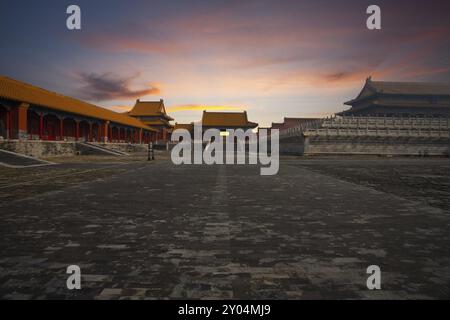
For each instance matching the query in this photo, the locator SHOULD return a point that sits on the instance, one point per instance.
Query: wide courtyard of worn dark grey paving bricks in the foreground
(144, 230)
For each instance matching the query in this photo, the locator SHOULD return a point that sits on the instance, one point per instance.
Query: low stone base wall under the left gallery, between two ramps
(38, 149)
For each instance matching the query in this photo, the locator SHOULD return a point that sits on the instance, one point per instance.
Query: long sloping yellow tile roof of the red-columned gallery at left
(23, 92)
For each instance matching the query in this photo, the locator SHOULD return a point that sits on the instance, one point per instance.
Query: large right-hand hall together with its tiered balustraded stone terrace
(386, 118)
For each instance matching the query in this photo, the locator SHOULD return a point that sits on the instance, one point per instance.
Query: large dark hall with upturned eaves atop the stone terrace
(380, 98)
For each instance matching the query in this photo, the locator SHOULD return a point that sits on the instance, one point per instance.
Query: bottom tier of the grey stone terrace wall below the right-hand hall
(369, 145)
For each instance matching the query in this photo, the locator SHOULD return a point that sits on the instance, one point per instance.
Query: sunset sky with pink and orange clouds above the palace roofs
(274, 59)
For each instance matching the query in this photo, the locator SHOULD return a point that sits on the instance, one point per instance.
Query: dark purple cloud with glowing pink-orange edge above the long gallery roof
(107, 86)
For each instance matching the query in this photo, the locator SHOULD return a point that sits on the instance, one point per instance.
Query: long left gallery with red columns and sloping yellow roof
(31, 113)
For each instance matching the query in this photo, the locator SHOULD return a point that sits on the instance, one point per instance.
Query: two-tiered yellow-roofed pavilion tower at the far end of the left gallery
(154, 115)
